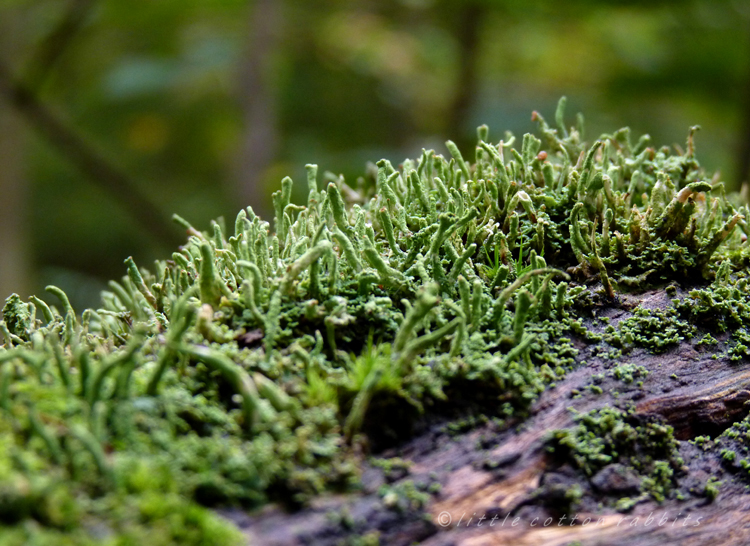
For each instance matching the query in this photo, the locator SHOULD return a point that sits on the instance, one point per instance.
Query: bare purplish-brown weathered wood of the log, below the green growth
(507, 472)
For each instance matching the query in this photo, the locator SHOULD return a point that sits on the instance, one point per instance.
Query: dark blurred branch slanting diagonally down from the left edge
(86, 159)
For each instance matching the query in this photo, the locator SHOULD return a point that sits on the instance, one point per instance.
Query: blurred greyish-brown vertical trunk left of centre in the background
(259, 105)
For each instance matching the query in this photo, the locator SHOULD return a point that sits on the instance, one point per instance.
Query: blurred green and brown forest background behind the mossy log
(114, 114)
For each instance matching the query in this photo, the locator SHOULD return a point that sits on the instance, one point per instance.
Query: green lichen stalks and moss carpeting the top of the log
(257, 364)
